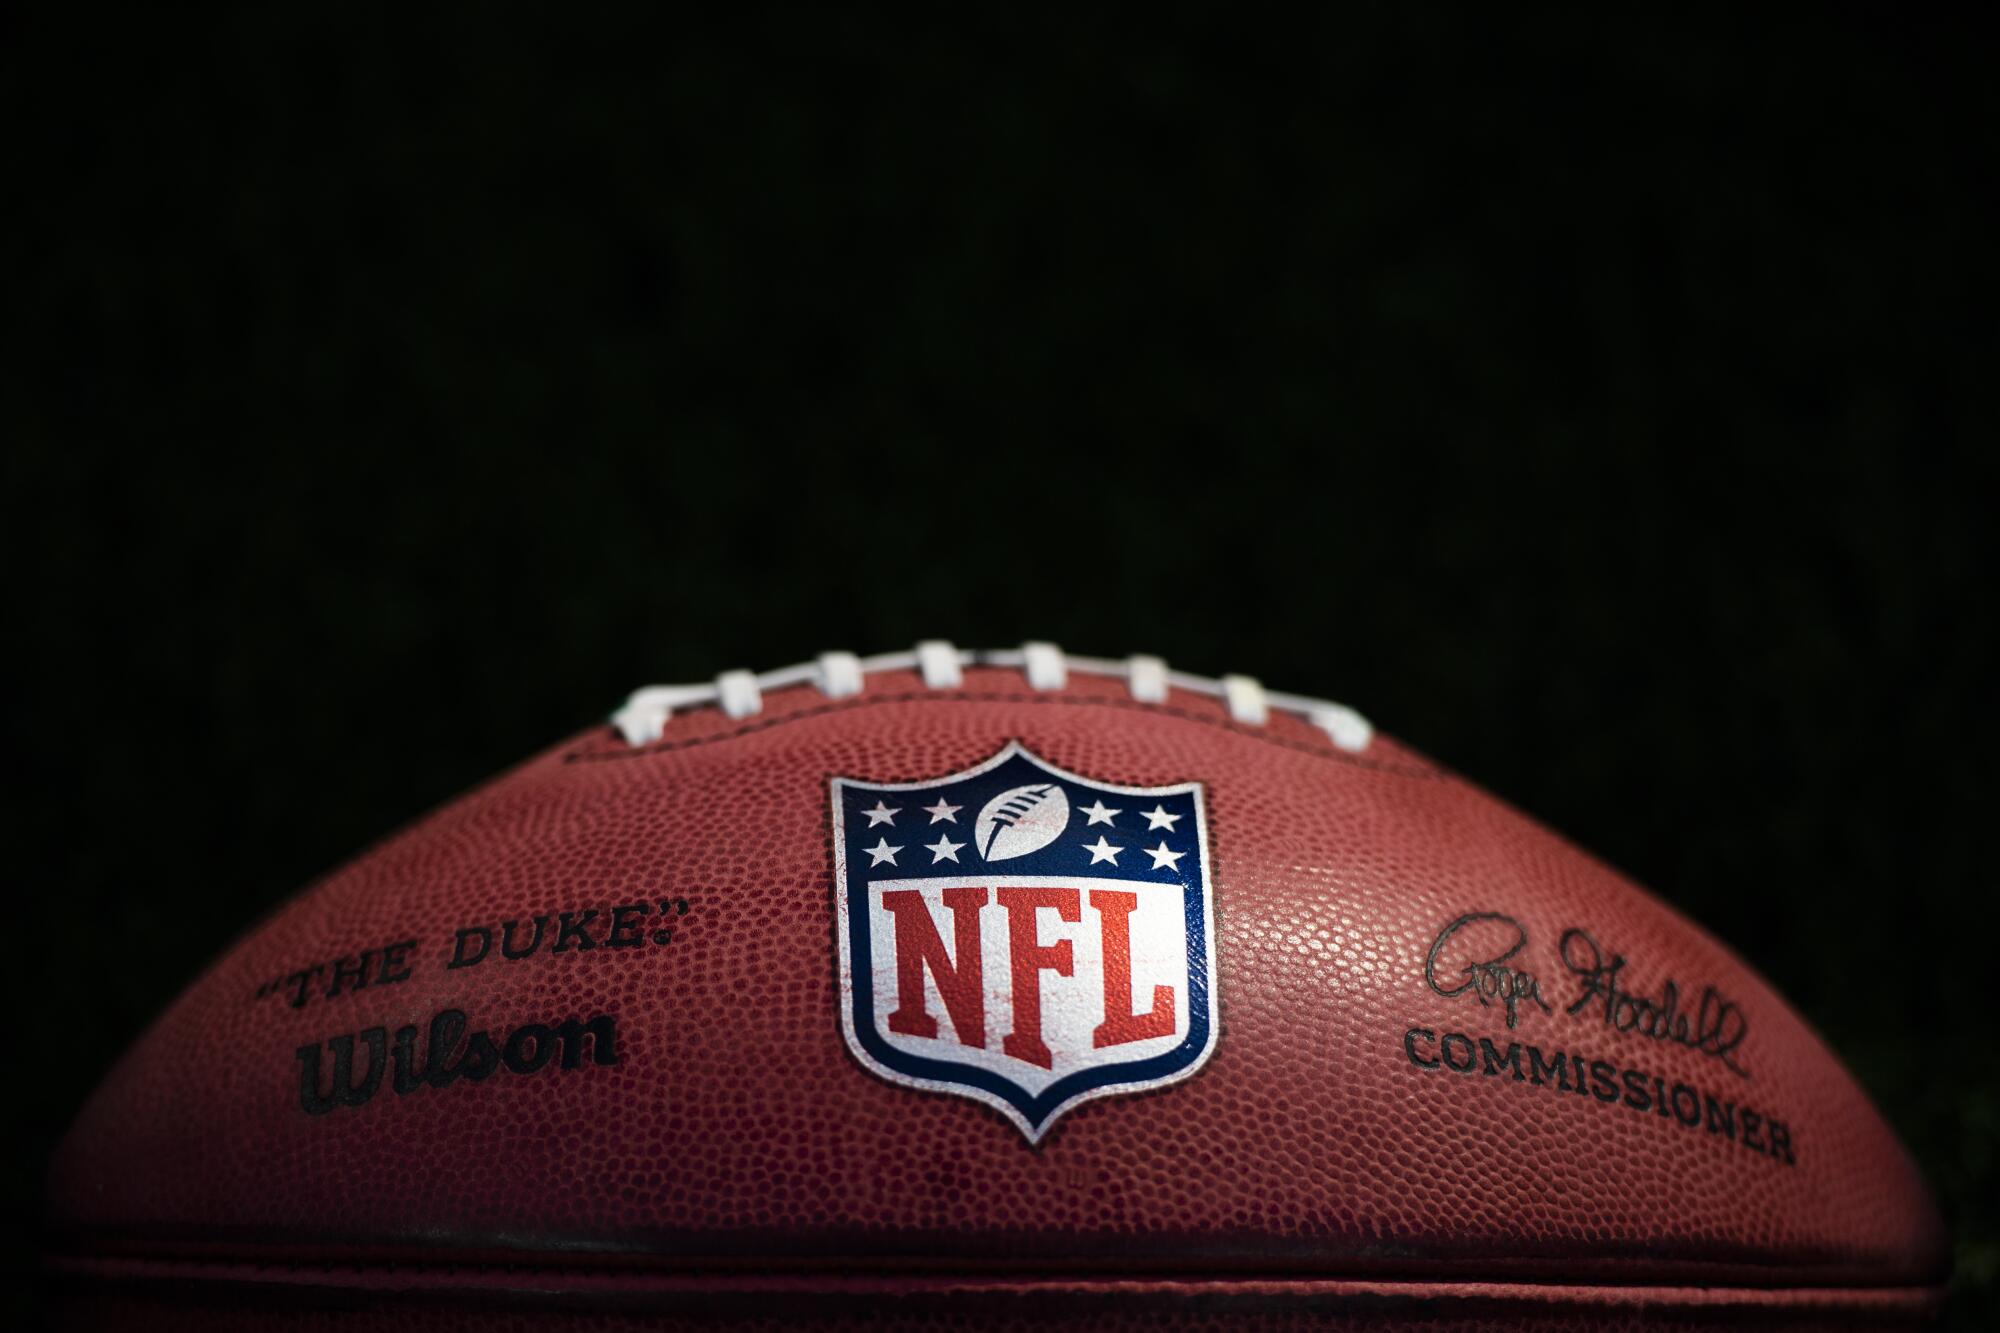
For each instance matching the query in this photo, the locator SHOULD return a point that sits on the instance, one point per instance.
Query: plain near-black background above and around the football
(1603, 405)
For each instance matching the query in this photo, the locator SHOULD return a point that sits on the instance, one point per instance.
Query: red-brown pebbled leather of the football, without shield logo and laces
(737, 1134)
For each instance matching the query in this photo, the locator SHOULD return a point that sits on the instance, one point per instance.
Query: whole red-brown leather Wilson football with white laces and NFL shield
(983, 990)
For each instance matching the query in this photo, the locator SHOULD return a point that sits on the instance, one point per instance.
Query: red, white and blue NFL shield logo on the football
(1025, 936)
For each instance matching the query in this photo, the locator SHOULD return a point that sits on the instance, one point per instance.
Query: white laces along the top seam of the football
(741, 694)
